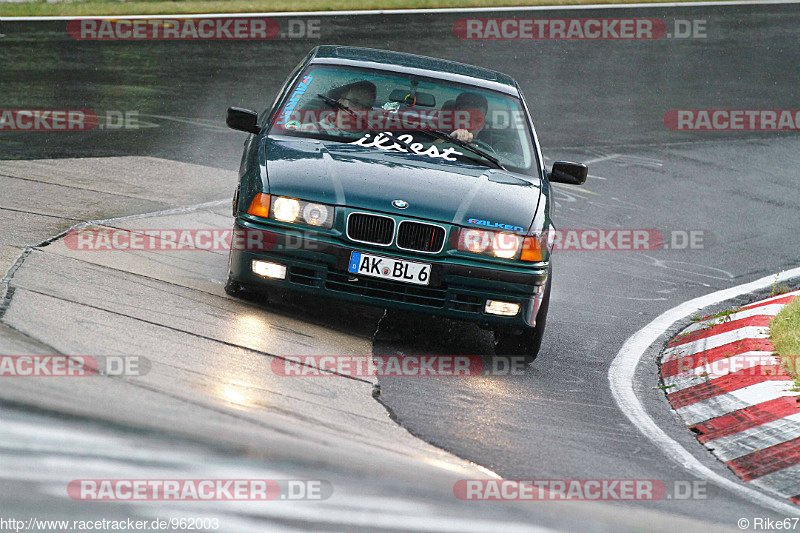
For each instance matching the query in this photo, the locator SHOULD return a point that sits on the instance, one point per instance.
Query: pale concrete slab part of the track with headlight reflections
(210, 405)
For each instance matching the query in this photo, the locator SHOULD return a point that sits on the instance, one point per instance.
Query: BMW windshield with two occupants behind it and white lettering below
(375, 108)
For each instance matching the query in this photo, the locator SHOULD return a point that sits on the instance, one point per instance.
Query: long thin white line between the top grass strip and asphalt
(451, 10)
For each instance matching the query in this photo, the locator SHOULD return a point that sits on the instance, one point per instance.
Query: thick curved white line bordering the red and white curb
(621, 377)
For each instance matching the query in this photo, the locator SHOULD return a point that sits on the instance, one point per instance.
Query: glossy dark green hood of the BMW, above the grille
(370, 178)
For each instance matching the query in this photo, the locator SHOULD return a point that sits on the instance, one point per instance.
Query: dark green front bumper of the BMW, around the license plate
(457, 289)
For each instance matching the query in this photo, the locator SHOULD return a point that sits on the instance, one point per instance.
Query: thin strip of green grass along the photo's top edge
(161, 7)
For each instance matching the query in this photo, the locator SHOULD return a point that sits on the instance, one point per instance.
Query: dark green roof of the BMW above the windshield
(414, 64)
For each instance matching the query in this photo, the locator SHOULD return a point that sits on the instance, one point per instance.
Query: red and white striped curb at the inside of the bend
(721, 377)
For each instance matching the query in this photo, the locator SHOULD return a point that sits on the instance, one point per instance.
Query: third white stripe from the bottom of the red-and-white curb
(735, 400)
